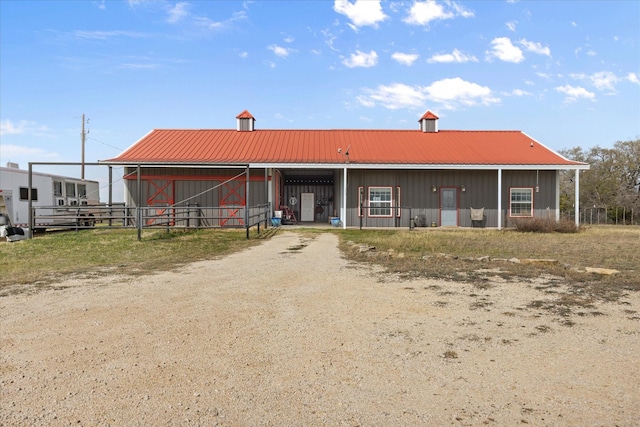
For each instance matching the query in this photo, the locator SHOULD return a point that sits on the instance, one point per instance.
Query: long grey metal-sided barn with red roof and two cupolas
(372, 178)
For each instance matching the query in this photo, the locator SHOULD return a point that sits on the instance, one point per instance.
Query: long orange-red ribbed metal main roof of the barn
(376, 147)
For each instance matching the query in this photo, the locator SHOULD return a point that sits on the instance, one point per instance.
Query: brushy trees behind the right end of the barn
(612, 184)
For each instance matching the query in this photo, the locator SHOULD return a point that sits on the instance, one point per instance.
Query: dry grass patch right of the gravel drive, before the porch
(478, 255)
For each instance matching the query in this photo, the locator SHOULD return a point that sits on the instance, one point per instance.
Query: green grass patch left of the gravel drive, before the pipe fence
(55, 256)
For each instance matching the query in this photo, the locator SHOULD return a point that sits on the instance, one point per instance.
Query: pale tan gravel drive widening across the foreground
(290, 333)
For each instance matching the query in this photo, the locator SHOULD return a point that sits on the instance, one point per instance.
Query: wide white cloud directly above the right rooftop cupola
(449, 93)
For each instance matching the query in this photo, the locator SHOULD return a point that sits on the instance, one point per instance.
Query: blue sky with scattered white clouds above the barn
(566, 73)
